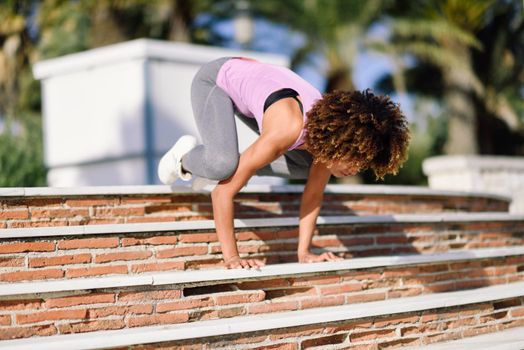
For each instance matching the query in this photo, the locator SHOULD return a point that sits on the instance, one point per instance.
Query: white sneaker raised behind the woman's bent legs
(170, 166)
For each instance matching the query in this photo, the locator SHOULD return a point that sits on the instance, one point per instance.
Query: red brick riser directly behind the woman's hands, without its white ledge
(59, 257)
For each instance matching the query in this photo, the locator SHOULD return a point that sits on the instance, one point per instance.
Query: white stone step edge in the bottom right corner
(509, 339)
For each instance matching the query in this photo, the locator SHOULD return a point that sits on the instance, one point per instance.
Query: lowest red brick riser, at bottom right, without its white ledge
(406, 329)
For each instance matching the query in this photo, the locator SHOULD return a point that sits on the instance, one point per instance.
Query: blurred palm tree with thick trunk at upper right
(476, 45)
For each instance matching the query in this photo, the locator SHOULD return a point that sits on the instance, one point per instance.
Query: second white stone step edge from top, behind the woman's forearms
(253, 223)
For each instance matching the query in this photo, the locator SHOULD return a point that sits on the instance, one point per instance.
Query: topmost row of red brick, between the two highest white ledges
(97, 209)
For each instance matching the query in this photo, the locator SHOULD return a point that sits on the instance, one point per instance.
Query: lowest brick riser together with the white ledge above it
(417, 320)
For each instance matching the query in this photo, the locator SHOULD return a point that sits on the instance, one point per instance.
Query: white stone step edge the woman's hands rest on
(199, 277)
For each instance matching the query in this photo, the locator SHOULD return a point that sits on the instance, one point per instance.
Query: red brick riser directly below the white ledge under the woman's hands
(46, 314)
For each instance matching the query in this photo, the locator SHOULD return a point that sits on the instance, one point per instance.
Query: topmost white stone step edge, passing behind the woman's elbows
(162, 189)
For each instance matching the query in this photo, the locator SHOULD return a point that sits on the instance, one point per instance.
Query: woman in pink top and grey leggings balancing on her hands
(303, 135)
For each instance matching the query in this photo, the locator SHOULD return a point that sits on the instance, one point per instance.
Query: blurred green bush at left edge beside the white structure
(21, 158)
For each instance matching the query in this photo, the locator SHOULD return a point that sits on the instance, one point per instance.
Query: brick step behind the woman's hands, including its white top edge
(83, 251)
